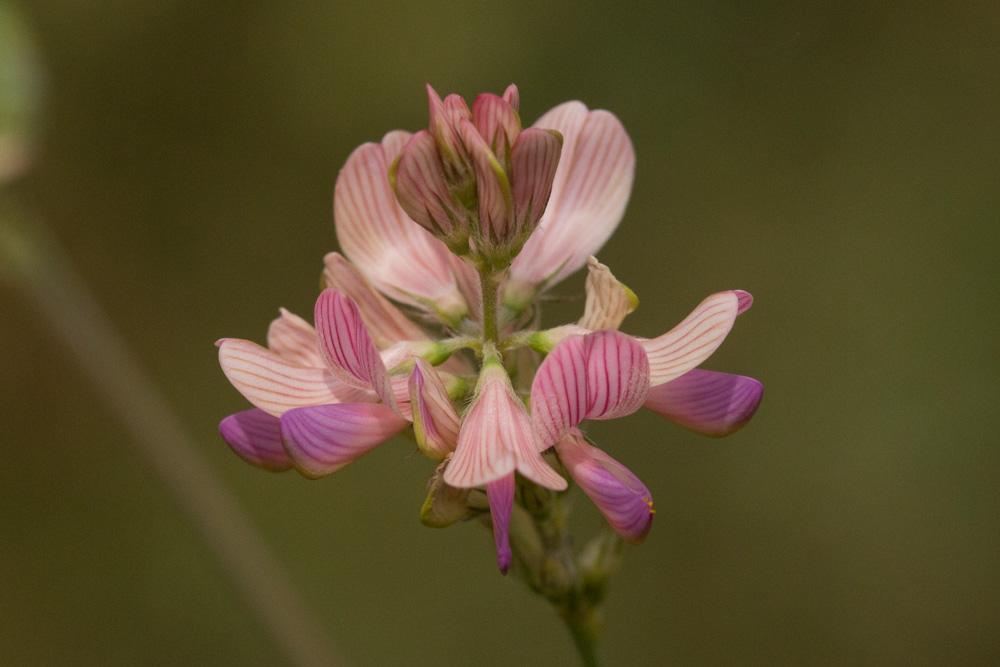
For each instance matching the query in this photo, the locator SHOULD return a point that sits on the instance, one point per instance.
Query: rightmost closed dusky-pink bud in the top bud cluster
(534, 160)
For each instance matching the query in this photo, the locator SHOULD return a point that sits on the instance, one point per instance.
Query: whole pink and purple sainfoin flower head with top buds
(449, 236)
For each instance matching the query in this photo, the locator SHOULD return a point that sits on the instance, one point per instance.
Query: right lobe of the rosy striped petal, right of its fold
(617, 375)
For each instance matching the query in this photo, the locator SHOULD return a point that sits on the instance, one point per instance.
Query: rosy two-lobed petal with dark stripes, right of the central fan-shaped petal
(603, 375)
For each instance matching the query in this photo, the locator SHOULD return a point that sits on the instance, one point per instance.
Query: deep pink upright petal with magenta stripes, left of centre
(347, 347)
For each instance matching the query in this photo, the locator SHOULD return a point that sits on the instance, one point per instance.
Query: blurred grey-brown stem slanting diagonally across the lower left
(31, 260)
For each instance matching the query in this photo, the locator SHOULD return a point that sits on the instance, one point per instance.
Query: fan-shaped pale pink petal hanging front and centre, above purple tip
(496, 438)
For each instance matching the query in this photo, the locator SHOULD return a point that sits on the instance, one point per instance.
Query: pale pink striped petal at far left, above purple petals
(275, 385)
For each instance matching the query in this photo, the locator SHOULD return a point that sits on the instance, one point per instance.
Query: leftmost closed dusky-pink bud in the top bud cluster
(423, 192)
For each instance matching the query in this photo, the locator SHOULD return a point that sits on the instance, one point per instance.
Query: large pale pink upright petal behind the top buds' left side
(398, 257)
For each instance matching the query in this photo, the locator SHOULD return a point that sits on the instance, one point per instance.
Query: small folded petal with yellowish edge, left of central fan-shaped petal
(435, 422)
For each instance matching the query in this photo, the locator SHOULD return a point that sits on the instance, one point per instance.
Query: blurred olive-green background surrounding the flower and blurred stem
(839, 160)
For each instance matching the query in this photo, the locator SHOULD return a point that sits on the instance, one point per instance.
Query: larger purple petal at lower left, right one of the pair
(324, 438)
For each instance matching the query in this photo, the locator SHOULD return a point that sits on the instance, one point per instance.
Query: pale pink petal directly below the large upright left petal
(385, 322)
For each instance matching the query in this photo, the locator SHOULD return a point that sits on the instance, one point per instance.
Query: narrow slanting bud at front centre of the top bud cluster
(492, 189)
